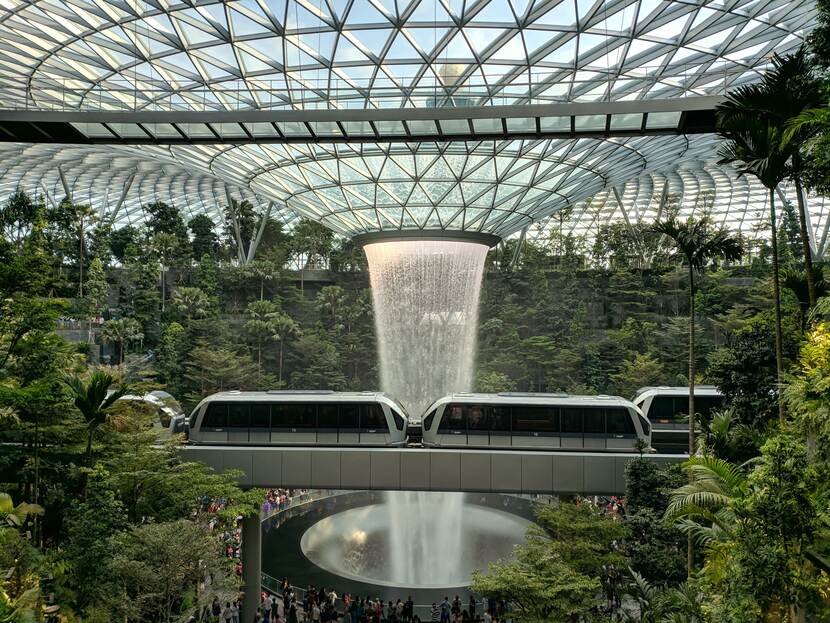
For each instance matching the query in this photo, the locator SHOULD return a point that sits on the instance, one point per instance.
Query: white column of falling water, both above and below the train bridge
(425, 296)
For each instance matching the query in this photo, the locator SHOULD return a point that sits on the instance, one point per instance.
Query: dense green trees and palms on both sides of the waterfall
(101, 520)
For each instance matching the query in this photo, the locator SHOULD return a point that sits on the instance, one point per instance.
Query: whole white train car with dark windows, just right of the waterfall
(528, 420)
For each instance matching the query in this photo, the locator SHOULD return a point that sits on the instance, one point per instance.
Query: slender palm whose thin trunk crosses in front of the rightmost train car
(698, 244)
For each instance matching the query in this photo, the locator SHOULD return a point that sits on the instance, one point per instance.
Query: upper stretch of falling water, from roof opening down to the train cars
(425, 296)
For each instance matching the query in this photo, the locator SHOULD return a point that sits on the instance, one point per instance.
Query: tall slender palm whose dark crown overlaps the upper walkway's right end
(754, 142)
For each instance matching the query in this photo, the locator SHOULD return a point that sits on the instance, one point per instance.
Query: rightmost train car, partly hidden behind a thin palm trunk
(667, 408)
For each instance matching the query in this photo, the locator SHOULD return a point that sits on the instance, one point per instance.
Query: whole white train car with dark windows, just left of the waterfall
(298, 417)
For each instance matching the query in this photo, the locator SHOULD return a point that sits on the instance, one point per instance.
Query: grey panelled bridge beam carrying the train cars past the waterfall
(424, 469)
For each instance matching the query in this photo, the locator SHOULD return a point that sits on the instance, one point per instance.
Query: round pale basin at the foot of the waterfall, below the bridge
(424, 540)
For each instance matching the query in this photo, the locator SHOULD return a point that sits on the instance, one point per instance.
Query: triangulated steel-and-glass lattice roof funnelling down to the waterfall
(231, 55)
